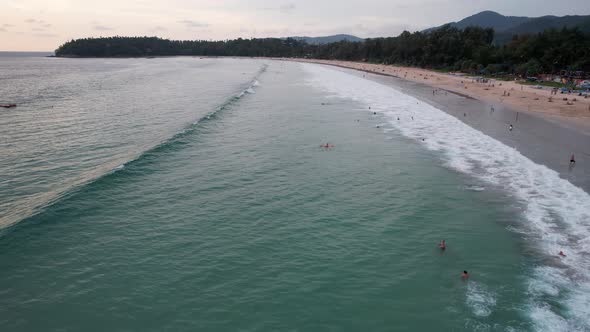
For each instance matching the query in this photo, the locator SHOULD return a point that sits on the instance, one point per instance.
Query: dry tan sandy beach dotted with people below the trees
(522, 98)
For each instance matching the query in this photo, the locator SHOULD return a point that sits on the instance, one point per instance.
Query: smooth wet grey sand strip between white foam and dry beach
(543, 140)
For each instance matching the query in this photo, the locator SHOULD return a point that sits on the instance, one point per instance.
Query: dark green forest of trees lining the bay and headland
(470, 50)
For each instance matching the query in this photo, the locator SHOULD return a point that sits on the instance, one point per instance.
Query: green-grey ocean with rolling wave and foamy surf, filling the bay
(192, 194)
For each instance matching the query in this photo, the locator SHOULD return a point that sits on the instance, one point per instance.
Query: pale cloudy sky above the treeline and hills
(42, 25)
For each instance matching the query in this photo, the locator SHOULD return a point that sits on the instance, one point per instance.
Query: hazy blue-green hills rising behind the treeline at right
(507, 26)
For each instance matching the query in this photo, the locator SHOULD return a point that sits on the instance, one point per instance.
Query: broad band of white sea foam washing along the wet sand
(557, 213)
